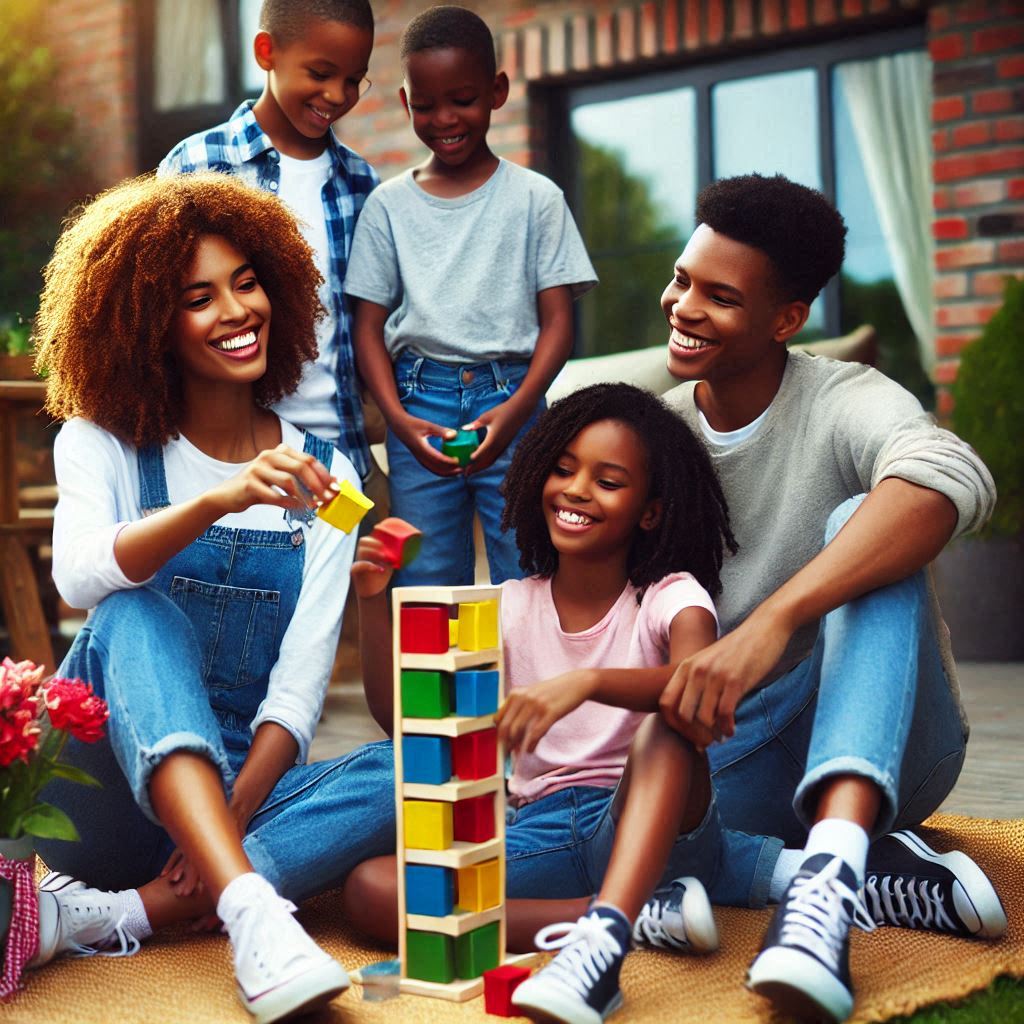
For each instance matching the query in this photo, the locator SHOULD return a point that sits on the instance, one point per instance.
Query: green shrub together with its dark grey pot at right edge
(980, 580)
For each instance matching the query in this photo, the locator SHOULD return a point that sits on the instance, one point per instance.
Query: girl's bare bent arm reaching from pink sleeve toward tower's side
(530, 711)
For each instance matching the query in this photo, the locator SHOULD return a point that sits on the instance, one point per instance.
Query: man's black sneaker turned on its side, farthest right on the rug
(909, 885)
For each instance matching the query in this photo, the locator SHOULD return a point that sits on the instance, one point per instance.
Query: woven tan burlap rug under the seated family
(188, 979)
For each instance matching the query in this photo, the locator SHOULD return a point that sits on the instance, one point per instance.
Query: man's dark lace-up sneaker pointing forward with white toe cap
(804, 964)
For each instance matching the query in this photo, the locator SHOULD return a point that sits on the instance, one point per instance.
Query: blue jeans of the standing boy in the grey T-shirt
(443, 507)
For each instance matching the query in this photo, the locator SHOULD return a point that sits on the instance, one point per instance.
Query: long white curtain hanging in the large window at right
(890, 101)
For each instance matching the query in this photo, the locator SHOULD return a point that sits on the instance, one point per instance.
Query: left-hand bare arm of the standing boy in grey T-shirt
(378, 374)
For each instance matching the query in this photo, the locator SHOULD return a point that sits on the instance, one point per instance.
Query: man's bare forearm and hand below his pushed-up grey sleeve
(898, 531)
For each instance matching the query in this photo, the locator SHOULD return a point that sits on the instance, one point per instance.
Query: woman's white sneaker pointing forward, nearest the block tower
(280, 970)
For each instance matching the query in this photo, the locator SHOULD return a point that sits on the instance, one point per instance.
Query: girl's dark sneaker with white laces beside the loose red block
(581, 985)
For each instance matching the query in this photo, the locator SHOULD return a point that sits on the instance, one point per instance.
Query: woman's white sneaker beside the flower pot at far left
(80, 922)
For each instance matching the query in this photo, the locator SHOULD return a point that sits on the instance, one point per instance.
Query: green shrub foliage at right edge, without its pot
(990, 407)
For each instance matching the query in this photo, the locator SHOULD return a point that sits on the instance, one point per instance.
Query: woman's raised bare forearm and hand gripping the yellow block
(143, 547)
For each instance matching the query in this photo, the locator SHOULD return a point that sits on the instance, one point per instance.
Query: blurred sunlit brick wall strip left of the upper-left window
(96, 44)
